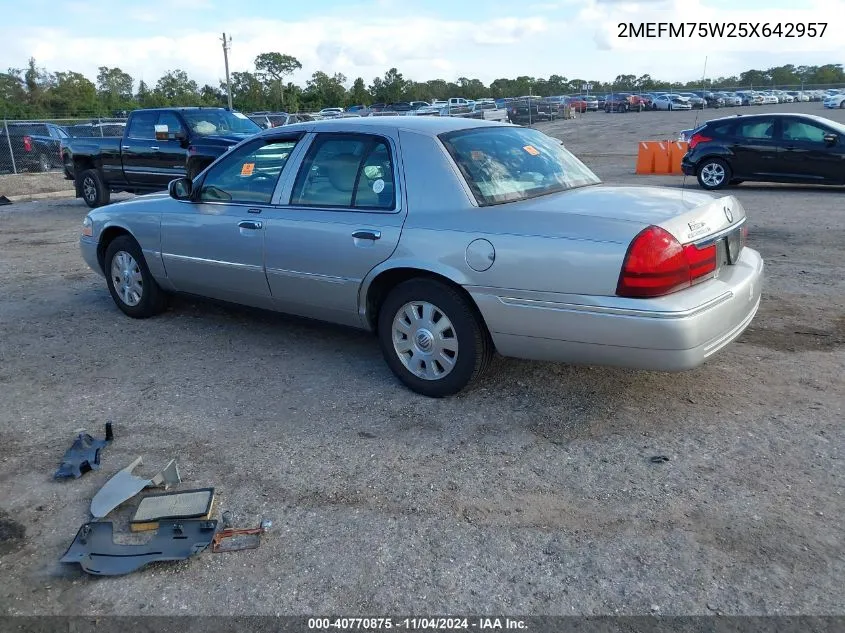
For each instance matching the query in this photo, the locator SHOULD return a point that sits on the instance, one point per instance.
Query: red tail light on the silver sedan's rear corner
(656, 264)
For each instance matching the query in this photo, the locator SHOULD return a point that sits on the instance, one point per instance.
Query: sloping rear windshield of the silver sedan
(506, 164)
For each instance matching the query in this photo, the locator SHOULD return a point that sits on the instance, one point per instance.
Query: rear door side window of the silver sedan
(346, 171)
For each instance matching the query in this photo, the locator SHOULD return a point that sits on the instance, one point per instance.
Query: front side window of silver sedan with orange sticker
(249, 174)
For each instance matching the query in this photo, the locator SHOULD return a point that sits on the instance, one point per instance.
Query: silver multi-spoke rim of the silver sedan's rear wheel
(425, 341)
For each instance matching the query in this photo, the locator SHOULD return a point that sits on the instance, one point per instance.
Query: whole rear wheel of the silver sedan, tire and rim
(432, 338)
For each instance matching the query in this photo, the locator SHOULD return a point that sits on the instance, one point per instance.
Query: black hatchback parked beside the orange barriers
(787, 148)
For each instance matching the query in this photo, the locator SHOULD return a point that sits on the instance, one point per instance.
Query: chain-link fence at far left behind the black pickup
(35, 145)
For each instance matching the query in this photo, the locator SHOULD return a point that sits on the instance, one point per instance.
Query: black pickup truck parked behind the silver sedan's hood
(159, 145)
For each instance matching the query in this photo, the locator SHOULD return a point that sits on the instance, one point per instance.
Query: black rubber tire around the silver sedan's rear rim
(475, 347)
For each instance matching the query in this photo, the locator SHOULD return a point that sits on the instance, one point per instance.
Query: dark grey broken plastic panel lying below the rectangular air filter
(95, 551)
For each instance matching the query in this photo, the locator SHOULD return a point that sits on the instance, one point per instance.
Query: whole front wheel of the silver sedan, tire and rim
(130, 282)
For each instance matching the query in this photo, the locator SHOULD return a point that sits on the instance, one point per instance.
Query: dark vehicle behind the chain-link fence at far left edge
(34, 146)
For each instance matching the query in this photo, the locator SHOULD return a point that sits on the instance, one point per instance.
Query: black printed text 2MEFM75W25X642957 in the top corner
(742, 30)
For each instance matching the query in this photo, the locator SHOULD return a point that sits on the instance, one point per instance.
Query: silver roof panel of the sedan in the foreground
(432, 126)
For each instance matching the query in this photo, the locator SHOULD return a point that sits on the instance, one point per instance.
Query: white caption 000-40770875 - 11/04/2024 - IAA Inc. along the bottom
(414, 624)
